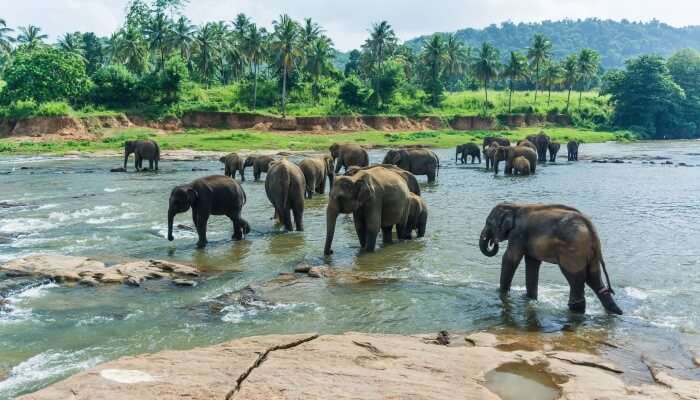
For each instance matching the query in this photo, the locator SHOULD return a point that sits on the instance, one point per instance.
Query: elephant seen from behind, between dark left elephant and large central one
(285, 186)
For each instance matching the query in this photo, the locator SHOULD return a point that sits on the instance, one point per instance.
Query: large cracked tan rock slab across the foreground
(348, 366)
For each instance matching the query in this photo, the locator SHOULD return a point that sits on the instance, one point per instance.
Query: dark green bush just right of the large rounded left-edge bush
(115, 86)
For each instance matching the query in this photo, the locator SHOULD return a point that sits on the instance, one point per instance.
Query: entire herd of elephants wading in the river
(383, 197)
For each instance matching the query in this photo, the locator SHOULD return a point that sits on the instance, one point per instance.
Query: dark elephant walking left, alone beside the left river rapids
(211, 195)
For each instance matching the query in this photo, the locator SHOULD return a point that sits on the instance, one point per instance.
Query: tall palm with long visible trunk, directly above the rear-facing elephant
(286, 49)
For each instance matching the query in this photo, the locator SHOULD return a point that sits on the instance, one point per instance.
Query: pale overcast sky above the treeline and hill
(347, 21)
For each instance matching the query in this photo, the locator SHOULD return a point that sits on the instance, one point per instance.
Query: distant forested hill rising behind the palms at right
(616, 41)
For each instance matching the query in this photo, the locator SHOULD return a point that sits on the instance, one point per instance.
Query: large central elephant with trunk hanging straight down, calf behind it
(378, 199)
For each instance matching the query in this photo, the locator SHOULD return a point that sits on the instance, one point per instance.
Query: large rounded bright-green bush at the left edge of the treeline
(45, 74)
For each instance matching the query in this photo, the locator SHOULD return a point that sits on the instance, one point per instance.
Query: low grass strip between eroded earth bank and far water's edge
(233, 140)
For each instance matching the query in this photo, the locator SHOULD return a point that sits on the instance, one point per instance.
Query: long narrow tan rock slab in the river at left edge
(83, 270)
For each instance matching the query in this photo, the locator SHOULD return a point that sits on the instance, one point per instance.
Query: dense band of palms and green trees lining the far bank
(160, 64)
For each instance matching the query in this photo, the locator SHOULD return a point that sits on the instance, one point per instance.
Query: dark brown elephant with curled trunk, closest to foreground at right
(553, 233)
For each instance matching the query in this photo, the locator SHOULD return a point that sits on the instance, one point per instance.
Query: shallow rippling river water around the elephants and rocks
(647, 215)
